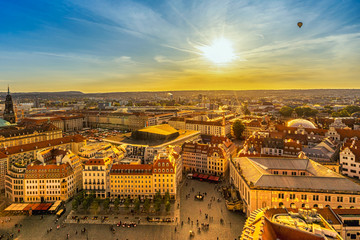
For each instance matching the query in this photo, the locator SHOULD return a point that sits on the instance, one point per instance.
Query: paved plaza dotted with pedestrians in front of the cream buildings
(35, 228)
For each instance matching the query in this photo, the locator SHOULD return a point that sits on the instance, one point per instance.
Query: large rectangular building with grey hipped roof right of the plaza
(290, 182)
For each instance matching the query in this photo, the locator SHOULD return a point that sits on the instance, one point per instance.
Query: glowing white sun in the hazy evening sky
(219, 52)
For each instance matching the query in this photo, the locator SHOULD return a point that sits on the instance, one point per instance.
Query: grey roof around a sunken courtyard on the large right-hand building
(256, 172)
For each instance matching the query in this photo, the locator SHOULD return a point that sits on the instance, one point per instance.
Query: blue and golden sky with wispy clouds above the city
(158, 45)
